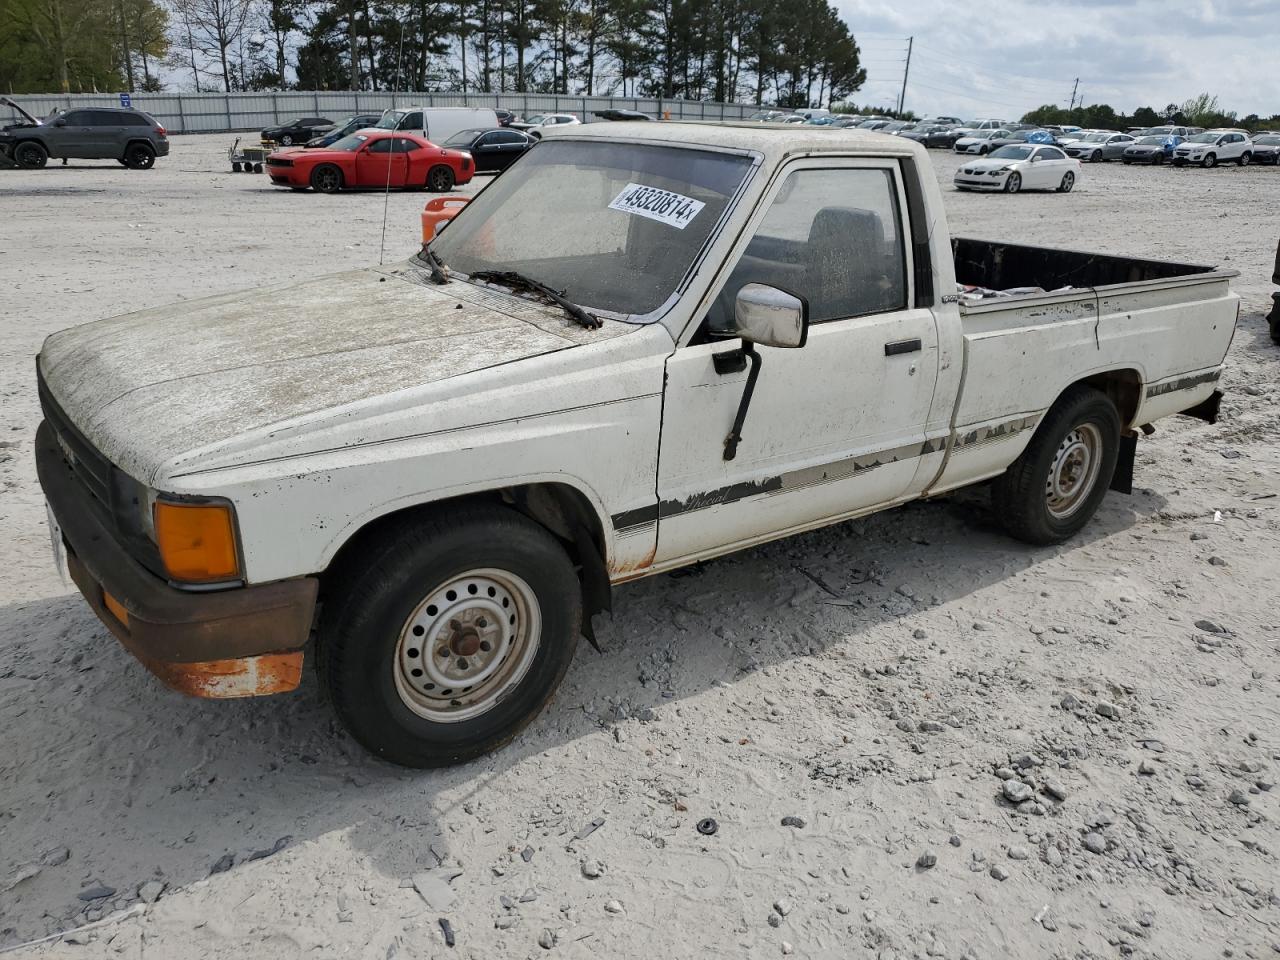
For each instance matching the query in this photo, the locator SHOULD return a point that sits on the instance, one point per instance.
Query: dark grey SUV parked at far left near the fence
(131, 138)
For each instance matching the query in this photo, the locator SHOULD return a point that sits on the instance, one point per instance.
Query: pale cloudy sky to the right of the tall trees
(1003, 60)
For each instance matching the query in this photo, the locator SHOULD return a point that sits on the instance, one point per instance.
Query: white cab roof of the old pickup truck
(769, 139)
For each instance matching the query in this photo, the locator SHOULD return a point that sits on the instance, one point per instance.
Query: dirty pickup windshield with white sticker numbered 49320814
(612, 226)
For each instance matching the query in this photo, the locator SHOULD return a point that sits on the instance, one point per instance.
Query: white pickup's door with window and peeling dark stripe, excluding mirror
(834, 427)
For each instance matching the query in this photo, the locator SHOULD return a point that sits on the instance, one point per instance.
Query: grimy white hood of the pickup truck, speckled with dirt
(152, 387)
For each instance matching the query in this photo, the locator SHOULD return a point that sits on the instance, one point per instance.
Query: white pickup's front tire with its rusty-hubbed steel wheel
(481, 598)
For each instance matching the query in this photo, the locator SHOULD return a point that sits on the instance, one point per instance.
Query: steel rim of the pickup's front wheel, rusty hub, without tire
(458, 659)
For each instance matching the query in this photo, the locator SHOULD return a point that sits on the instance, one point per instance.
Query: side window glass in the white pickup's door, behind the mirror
(833, 237)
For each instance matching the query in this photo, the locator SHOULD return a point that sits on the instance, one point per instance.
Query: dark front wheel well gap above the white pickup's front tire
(561, 509)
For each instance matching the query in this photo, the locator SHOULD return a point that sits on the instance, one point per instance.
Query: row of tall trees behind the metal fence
(796, 53)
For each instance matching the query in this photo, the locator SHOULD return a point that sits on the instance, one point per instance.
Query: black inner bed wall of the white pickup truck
(1000, 267)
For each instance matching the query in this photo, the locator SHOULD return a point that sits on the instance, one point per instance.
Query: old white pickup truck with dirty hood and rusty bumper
(641, 348)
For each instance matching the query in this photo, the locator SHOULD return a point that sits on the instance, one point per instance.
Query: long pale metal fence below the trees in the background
(214, 113)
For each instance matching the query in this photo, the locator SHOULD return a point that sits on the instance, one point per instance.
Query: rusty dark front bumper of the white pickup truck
(245, 642)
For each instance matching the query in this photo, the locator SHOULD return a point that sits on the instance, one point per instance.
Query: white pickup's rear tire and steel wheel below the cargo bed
(1055, 487)
